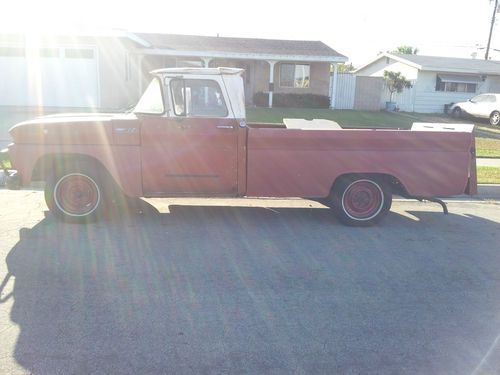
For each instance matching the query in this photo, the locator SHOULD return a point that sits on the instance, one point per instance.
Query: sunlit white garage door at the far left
(49, 77)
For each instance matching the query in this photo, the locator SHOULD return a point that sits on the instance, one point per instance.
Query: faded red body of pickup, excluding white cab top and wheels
(151, 155)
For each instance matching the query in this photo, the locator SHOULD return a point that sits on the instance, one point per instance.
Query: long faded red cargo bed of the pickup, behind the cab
(286, 162)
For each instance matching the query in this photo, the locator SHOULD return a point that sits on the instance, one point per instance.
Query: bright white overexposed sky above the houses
(359, 29)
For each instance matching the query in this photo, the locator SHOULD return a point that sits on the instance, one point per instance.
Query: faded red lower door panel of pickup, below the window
(190, 156)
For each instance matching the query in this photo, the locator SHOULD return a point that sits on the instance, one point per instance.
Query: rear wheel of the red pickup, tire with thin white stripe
(361, 200)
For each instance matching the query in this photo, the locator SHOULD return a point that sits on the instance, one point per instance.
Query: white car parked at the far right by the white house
(483, 106)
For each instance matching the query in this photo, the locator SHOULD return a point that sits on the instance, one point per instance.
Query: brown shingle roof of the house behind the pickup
(239, 45)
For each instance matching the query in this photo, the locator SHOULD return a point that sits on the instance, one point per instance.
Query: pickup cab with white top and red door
(191, 118)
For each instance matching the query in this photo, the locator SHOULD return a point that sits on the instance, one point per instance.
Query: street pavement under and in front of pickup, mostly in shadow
(257, 286)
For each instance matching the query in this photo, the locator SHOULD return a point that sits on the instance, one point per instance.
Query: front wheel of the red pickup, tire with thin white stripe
(76, 193)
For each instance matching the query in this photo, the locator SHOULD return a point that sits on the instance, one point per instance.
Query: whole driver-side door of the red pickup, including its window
(192, 150)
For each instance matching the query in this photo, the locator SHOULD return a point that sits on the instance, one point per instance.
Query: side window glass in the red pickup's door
(197, 98)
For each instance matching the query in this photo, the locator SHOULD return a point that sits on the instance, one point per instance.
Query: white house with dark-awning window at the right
(436, 80)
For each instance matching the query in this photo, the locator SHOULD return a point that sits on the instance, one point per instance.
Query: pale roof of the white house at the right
(436, 63)
